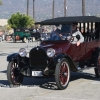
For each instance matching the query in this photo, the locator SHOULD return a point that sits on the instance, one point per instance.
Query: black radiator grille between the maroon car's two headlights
(38, 58)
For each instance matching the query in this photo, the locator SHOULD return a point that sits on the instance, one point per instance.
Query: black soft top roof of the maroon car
(72, 19)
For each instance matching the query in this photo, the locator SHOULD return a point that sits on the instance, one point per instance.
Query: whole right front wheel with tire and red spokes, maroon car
(62, 74)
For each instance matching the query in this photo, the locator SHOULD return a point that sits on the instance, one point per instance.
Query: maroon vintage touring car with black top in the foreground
(58, 58)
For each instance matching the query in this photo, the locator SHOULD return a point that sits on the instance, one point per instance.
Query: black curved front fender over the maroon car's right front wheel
(71, 63)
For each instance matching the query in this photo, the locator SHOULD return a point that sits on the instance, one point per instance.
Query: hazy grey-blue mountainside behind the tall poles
(43, 8)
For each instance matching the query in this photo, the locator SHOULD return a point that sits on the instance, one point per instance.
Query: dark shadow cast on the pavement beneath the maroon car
(50, 82)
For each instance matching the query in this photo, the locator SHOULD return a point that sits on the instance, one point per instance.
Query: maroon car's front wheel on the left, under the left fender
(13, 74)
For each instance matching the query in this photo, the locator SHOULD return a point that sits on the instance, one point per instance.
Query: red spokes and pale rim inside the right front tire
(64, 73)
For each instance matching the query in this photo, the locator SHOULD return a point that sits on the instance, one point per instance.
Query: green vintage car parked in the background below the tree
(21, 34)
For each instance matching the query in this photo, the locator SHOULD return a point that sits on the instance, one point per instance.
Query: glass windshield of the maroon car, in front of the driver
(56, 33)
